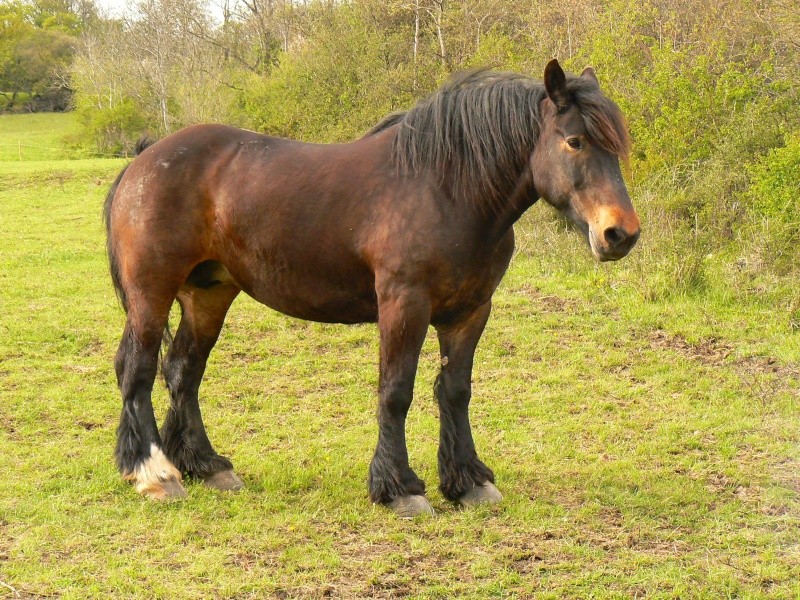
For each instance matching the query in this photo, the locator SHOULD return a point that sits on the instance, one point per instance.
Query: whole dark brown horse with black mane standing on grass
(409, 226)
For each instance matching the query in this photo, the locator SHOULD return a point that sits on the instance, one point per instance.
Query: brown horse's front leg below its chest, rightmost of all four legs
(463, 476)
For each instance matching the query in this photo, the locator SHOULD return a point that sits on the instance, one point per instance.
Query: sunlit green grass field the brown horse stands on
(647, 445)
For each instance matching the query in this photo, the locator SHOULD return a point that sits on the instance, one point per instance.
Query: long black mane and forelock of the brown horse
(482, 125)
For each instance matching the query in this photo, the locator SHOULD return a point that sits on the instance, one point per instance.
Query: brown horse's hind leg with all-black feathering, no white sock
(186, 443)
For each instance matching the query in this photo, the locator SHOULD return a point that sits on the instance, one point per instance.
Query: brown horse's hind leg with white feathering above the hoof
(139, 456)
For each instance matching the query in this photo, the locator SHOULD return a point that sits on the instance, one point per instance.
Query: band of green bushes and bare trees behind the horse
(711, 92)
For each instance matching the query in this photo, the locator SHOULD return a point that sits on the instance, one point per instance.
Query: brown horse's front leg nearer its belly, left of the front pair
(403, 321)
